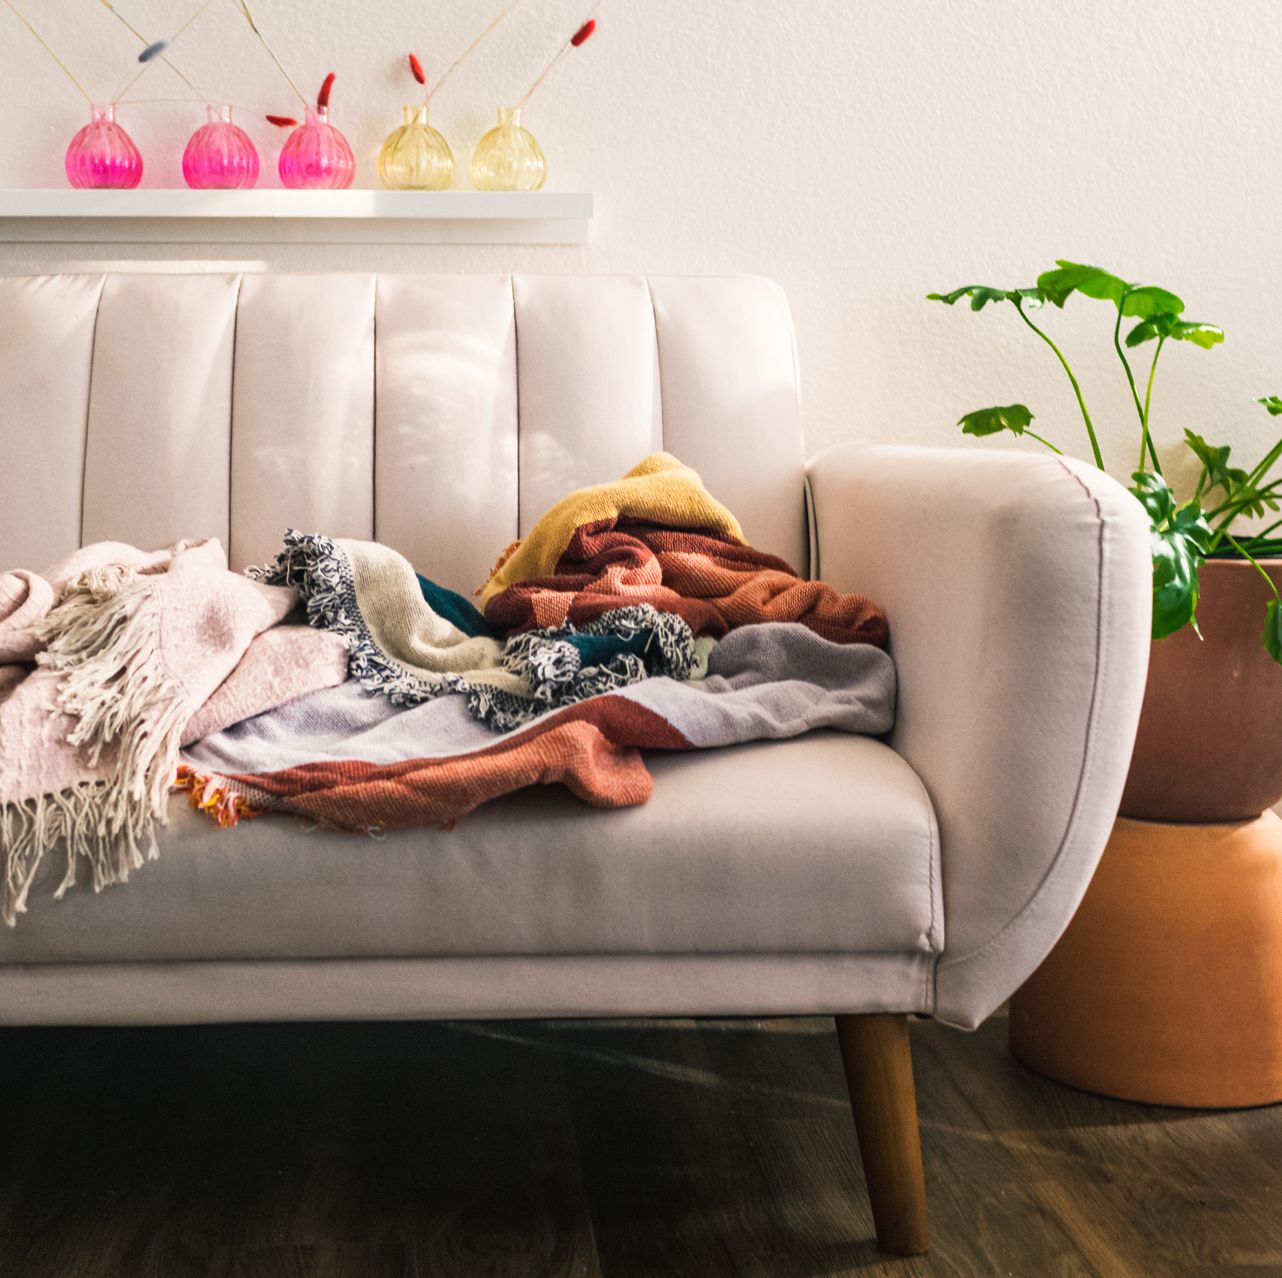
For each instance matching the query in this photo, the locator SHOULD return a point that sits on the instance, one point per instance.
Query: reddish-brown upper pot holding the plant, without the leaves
(1210, 747)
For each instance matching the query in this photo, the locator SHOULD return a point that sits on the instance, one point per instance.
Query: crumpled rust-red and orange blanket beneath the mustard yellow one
(712, 581)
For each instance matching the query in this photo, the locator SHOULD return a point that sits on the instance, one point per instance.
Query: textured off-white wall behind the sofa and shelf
(861, 153)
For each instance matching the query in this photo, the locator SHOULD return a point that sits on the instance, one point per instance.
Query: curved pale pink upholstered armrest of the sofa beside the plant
(1019, 594)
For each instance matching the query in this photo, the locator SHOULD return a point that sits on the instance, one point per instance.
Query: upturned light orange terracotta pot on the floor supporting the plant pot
(1167, 986)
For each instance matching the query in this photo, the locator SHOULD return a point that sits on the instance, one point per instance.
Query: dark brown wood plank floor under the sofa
(619, 1150)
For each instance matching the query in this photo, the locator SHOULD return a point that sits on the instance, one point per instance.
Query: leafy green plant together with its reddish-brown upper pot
(1217, 612)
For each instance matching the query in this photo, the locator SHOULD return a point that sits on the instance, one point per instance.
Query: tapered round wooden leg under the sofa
(880, 1077)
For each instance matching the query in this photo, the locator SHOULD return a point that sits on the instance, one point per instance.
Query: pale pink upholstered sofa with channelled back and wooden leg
(926, 874)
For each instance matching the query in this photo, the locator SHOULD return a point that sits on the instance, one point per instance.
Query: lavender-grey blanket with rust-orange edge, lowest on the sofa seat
(354, 761)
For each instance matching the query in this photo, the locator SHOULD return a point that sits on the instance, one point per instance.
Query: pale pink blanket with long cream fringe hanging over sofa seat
(110, 662)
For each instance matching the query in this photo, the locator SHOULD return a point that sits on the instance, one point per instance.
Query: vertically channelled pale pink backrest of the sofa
(440, 415)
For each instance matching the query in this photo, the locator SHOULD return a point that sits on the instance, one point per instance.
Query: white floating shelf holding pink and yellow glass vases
(311, 217)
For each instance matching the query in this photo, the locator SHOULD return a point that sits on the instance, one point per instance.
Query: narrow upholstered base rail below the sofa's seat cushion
(702, 985)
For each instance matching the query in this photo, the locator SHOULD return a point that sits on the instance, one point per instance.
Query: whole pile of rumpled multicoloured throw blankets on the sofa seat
(634, 616)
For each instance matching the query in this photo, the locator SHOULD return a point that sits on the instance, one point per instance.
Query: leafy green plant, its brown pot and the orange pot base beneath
(1165, 988)
